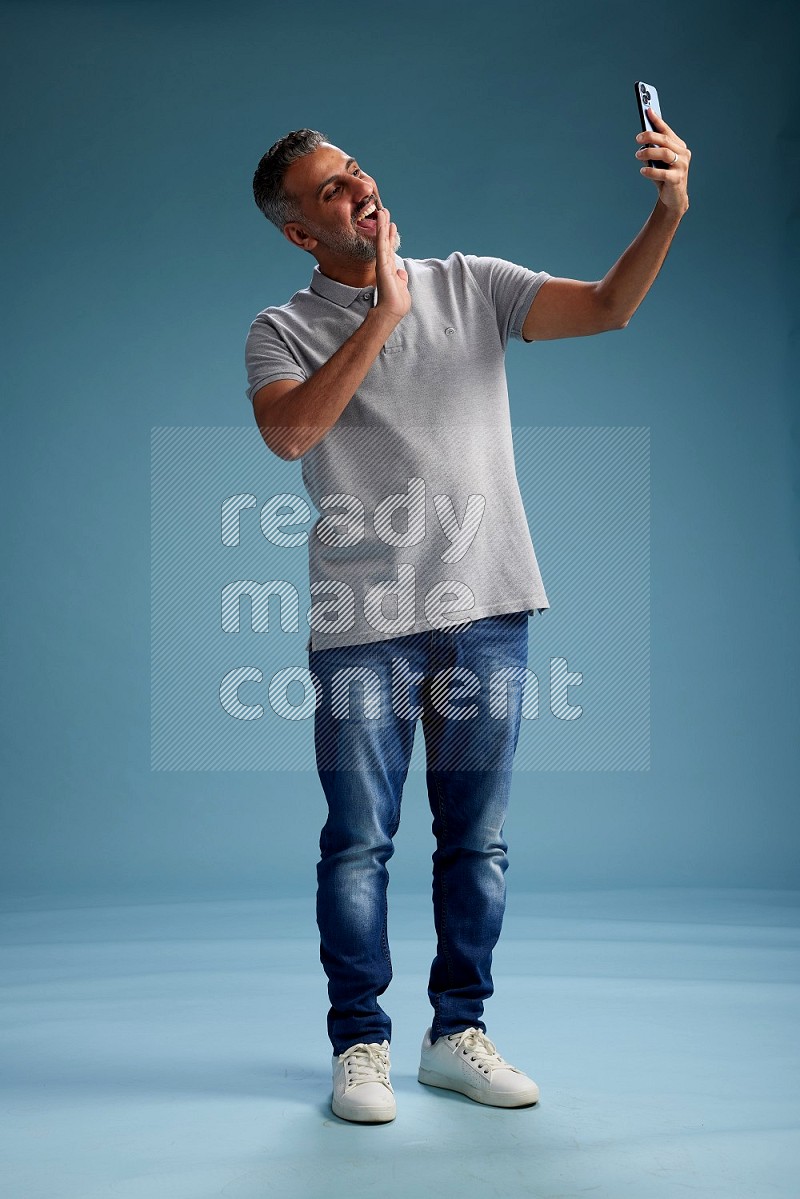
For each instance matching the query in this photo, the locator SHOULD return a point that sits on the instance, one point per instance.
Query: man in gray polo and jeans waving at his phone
(386, 377)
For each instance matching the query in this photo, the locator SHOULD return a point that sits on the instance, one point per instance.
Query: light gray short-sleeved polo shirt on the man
(420, 521)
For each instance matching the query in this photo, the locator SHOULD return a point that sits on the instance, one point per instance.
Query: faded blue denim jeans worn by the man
(471, 727)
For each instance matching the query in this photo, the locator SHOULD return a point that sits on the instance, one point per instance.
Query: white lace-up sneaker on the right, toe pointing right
(468, 1063)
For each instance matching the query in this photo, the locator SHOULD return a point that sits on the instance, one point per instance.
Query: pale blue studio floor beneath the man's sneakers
(178, 1051)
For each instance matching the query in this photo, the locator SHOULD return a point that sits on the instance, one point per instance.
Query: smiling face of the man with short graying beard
(333, 192)
